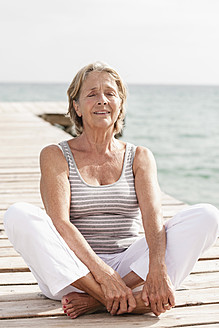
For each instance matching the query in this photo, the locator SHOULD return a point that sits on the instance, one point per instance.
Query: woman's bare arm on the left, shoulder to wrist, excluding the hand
(55, 192)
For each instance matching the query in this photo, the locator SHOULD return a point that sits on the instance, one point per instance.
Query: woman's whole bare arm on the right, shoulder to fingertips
(157, 289)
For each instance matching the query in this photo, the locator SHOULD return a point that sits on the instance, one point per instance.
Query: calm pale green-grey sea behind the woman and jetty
(178, 123)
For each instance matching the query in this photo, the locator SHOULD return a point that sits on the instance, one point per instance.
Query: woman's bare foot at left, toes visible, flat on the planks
(75, 304)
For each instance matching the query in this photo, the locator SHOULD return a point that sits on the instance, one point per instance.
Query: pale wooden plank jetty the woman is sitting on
(22, 135)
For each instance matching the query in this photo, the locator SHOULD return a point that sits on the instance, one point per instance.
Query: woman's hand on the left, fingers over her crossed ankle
(119, 297)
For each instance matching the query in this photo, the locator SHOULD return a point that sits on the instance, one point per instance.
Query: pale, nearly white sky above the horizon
(147, 41)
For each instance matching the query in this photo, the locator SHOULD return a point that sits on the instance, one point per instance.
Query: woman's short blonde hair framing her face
(75, 88)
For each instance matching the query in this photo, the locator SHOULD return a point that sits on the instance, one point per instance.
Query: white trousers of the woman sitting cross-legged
(56, 267)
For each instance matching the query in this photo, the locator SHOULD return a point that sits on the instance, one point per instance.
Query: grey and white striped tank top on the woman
(108, 216)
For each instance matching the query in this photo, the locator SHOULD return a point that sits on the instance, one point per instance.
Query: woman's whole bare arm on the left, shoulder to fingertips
(55, 192)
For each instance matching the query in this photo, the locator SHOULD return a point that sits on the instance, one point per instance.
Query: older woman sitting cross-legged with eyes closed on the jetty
(86, 248)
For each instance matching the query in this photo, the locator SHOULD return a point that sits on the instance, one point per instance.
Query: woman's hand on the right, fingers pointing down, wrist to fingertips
(158, 291)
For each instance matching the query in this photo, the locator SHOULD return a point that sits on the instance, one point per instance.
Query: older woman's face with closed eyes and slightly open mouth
(99, 102)
